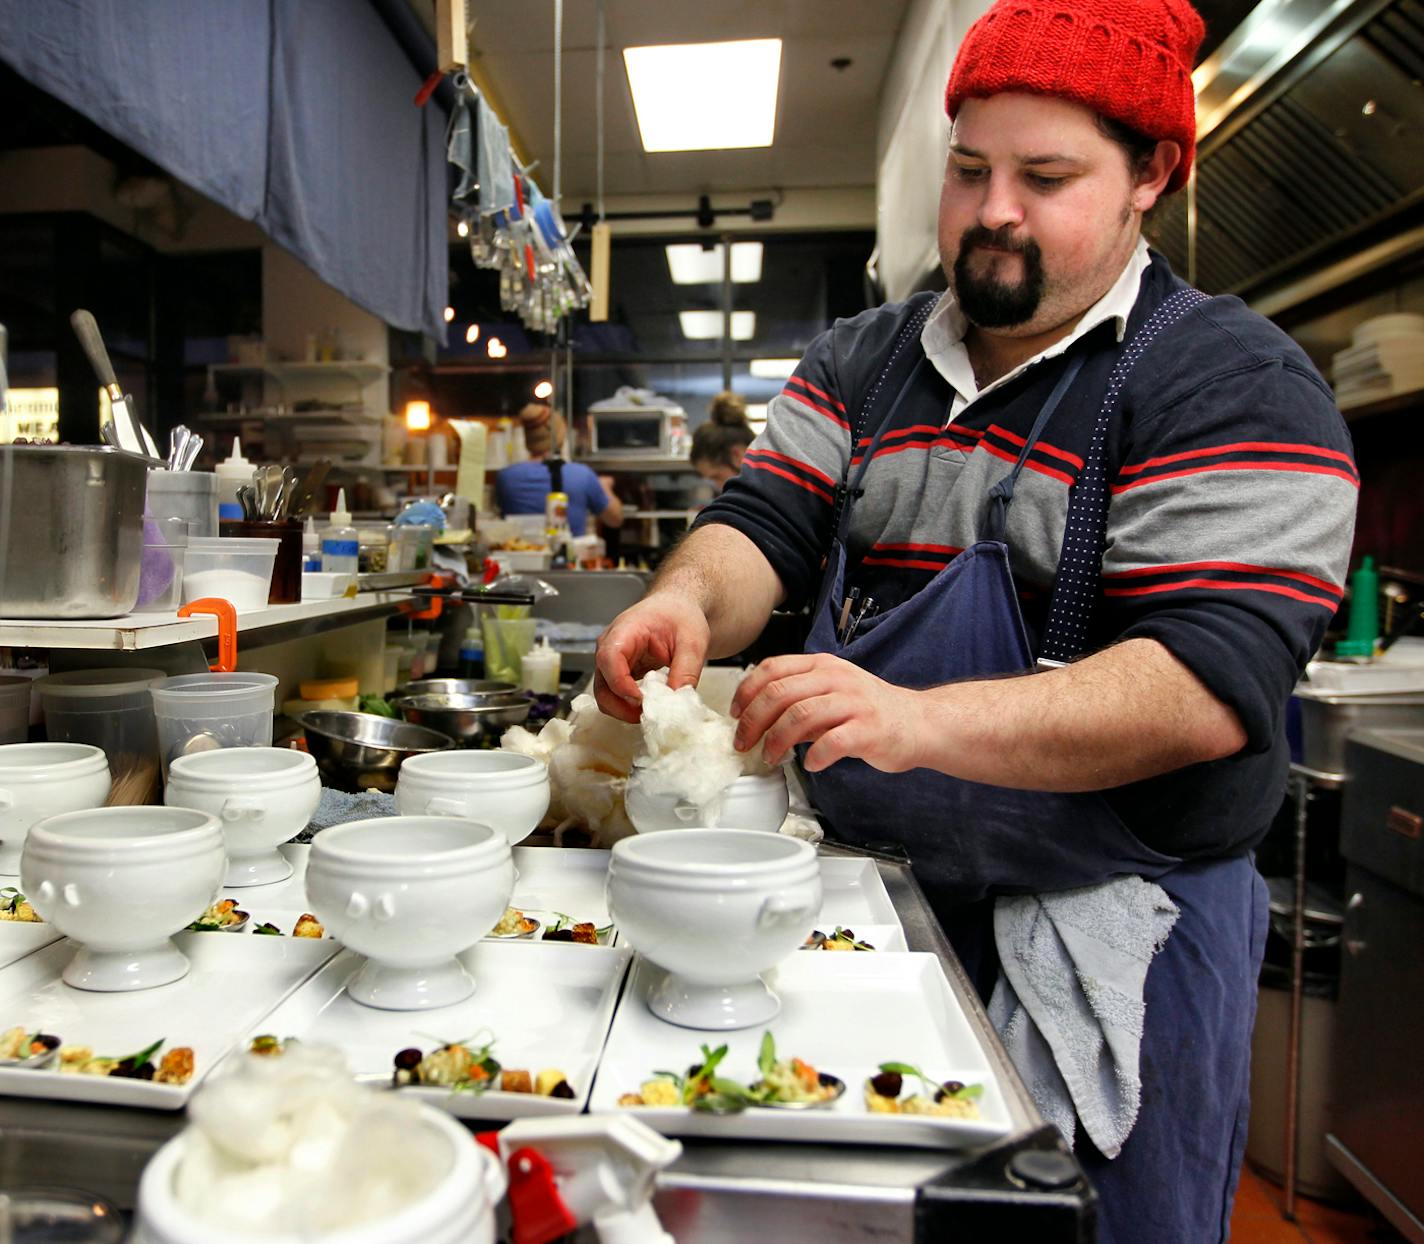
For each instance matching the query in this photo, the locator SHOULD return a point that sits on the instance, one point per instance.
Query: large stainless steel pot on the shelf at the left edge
(72, 532)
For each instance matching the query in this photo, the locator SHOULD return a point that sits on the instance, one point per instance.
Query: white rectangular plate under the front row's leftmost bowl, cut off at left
(233, 984)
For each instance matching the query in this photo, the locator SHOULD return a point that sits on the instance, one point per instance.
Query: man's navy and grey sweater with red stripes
(1234, 493)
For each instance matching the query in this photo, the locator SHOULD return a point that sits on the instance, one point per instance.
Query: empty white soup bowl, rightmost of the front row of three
(716, 909)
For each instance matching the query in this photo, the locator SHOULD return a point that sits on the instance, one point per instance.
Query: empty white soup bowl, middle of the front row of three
(411, 893)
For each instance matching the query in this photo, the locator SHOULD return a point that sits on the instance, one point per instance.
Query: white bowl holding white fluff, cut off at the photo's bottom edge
(459, 1209)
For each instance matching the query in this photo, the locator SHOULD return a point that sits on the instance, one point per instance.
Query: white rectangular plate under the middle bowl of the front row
(546, 1006)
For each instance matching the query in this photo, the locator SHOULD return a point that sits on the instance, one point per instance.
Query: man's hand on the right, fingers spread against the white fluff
(835, 705)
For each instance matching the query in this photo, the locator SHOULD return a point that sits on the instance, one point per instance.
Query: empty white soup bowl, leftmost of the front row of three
(122, 882)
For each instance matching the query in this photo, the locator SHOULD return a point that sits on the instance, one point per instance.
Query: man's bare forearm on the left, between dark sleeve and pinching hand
(730, 580)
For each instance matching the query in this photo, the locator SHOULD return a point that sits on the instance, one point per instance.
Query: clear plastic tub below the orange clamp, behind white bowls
(201, 712)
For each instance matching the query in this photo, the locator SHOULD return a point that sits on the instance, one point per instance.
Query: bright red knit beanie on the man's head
(1130, 60)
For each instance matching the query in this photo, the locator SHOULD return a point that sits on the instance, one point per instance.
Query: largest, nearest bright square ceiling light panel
(706, 96)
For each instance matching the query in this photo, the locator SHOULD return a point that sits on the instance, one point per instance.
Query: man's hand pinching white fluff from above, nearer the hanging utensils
(661, 630)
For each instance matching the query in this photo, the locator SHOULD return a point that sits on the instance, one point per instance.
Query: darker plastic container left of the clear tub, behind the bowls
(109, 708)
